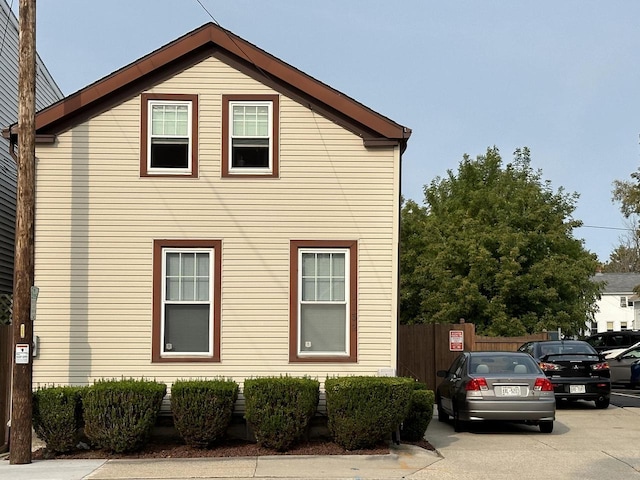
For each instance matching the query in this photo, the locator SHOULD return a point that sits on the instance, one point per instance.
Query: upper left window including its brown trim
(169, 126)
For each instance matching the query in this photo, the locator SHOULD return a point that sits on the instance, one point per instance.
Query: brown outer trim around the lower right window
(294, 246)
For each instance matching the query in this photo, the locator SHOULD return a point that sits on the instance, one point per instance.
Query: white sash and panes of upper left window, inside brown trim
(169, 123)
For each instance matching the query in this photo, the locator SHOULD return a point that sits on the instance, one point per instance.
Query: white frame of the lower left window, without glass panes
(210, 302)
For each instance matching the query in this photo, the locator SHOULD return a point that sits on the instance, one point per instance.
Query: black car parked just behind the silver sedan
(576, 369)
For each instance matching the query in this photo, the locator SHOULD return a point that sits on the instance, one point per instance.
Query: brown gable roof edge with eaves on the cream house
(213, 40)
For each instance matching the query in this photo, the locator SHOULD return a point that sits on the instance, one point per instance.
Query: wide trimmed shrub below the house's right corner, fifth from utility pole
(363, 411)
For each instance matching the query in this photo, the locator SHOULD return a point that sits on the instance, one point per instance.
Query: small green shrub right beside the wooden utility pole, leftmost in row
(57, 414)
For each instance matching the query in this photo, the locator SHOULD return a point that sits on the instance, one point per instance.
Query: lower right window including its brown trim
(323, 296)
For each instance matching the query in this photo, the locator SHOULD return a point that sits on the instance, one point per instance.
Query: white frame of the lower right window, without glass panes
(346, 302)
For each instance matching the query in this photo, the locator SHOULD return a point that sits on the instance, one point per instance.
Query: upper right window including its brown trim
(250, 135)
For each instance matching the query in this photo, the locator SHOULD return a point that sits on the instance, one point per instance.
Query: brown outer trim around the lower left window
(158, 245)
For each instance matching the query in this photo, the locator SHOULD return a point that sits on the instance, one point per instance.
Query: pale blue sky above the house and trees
(559, 76)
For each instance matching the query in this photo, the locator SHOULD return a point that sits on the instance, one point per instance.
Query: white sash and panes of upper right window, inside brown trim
(251, 128)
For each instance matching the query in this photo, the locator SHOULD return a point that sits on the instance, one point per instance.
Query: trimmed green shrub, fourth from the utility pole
(279, 409)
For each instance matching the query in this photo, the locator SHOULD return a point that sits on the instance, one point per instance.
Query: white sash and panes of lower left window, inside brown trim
(187, 298)
